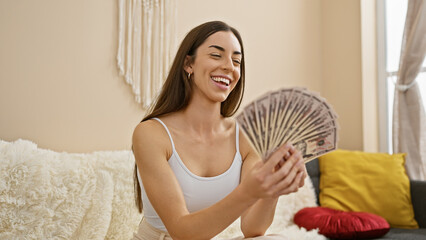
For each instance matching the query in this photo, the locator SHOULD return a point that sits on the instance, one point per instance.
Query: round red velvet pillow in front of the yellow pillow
(342, 225)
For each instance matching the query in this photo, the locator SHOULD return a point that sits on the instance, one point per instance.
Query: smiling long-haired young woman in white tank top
(196, 172)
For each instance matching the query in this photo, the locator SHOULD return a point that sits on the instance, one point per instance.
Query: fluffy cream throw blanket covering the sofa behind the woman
(50, 195)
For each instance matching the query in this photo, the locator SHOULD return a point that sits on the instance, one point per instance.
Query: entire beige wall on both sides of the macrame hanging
(59, 85)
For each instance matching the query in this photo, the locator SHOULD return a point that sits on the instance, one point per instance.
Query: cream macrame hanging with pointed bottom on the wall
(146, 45)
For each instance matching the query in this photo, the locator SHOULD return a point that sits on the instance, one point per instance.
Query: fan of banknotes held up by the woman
(293, 115)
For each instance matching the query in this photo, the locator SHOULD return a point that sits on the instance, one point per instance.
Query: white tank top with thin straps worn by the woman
(199, 192)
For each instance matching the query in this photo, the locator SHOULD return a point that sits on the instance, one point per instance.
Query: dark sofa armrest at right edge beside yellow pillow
(418, 198)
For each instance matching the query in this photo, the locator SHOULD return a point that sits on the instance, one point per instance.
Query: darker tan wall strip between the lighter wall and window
(341, 63)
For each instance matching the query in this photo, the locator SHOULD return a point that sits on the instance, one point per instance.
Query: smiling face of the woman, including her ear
(216, 69)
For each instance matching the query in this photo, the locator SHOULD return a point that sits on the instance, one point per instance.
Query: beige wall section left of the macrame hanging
(59, 83)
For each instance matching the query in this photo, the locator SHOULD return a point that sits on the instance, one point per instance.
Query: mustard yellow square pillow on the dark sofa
(367, 182)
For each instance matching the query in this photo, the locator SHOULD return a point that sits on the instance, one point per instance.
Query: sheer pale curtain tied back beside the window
(409, 120)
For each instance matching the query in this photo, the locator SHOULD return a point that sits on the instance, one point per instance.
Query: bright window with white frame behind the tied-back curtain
(391, 21)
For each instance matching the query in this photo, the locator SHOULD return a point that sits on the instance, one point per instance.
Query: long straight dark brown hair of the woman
(176, 91)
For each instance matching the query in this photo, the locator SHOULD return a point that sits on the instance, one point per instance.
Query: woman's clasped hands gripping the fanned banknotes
(275, 177)
